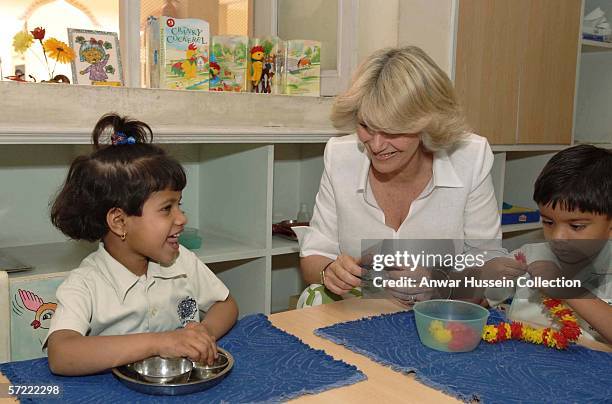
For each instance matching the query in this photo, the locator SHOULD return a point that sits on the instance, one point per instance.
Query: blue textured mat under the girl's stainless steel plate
(270, 365)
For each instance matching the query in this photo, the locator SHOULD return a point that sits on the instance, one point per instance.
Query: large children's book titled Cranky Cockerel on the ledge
(177, 53)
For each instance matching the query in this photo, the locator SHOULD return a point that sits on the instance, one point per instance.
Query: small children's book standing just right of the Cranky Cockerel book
(228, 63)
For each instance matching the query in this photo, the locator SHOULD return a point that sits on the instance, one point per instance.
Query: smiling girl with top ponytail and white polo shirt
(140, 294)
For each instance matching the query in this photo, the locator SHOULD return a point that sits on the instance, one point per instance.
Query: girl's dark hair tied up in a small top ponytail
(113, 176)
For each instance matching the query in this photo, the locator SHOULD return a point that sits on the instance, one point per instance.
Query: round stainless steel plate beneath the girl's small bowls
(128, 376)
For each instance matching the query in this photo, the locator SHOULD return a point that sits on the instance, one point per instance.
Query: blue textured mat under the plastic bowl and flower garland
(512, 371)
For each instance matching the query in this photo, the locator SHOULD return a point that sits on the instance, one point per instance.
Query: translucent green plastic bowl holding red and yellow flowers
(450, 325)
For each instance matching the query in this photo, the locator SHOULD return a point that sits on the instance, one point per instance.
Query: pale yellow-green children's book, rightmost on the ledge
(303, 68)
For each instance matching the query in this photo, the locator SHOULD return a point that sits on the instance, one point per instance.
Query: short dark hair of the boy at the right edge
(577, 178)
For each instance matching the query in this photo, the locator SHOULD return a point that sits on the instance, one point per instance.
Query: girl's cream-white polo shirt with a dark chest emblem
(102, 297)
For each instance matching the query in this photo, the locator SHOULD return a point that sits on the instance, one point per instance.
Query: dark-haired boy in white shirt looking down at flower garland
(574, 194)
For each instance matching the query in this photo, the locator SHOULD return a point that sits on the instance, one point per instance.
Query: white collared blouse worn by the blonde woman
(457, 203)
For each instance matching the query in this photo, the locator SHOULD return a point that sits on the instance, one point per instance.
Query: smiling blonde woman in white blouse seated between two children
(412, 170)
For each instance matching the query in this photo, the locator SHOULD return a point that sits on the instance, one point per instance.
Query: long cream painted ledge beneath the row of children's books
(38, 113)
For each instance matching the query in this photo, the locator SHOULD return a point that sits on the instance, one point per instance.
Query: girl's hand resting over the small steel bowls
(193, 342)
